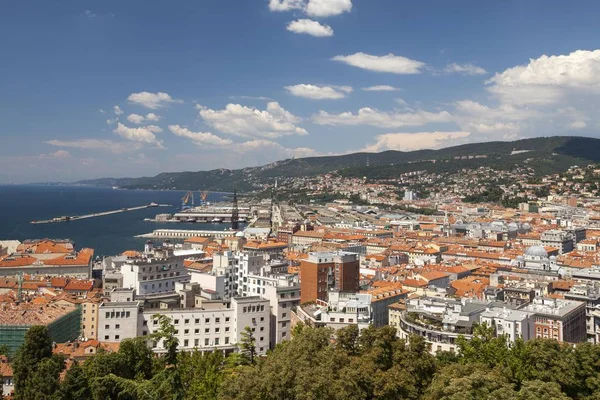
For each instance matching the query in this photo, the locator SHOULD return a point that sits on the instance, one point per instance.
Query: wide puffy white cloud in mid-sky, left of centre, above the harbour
(244, 121)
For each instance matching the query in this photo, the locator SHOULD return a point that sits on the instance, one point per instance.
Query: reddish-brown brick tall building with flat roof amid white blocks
(323, 271)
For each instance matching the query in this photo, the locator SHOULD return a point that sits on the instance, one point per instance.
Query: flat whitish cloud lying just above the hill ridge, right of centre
(415, 141)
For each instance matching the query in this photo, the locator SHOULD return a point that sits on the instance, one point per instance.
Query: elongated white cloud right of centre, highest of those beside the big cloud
(388, 63)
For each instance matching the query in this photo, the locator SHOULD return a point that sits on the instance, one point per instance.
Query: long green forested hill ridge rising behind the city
(545, 155)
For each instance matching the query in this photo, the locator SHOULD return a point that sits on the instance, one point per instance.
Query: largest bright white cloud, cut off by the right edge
(548, 79)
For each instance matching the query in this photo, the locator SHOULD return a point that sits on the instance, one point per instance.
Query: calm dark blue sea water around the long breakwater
(108, 235)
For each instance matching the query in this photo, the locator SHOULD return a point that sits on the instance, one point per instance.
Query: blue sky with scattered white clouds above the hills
(134, 88)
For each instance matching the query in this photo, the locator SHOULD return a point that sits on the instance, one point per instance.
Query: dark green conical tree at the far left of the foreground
(36, 348)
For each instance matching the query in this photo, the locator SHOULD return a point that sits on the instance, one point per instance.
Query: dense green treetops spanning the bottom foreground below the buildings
(372, 365)
